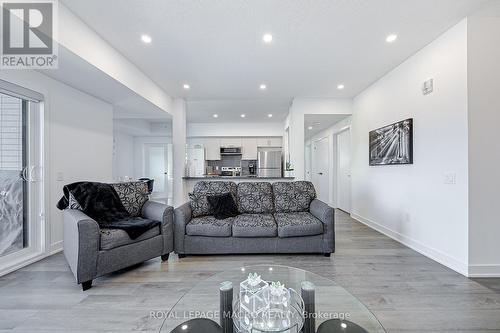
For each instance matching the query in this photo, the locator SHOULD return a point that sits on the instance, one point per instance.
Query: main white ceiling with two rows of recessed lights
(216, 46)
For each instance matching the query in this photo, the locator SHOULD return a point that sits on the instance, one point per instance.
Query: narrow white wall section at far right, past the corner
(484, 152)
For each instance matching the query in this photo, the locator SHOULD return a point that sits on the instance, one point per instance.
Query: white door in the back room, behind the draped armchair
(157, 167)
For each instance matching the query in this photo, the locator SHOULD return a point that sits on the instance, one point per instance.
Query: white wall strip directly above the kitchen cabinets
(234, 129)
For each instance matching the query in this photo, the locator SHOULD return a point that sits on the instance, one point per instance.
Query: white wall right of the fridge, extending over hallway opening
(295, 124)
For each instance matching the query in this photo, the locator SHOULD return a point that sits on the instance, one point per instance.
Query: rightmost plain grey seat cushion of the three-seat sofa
(297, 224)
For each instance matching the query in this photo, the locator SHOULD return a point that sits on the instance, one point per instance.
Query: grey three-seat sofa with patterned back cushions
(283, 217)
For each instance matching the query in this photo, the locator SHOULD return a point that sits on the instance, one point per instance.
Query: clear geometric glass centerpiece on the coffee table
(267, 307)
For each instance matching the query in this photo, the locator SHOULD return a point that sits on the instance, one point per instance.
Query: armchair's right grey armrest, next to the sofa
(164, 213)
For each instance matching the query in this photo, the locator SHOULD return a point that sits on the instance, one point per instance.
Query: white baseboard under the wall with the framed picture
(442, 258)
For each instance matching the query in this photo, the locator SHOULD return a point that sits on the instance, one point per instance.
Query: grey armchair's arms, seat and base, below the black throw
(92, 252)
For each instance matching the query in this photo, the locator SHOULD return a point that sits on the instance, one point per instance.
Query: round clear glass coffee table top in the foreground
(331, 300)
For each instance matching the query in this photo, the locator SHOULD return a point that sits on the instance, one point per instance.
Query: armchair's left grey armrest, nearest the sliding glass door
(81, 244)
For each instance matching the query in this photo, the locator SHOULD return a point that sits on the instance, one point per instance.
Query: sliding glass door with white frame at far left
(21, 207)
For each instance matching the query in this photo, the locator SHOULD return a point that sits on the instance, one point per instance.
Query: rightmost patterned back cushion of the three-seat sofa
(293, 196)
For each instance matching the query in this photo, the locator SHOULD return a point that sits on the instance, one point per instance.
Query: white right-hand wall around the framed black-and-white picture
(411, 203)
